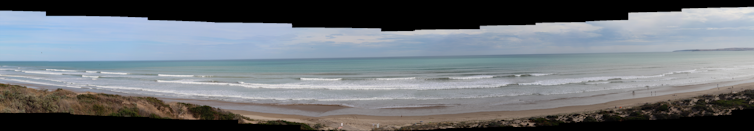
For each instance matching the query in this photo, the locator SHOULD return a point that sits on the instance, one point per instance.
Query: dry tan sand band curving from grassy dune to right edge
(364, 122)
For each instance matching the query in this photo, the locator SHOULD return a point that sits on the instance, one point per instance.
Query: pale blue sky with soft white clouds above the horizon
(33, 36)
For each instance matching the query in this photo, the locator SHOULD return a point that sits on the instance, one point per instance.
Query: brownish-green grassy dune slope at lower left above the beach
(19, 99)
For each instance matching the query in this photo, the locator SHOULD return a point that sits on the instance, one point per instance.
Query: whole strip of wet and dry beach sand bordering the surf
(364, 122)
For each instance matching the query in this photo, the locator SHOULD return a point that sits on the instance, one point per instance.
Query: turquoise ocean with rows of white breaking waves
(382, 86)
